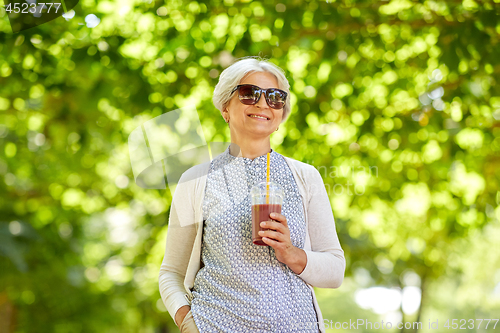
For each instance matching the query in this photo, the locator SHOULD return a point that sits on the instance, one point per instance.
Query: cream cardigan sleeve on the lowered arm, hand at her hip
(181, 235)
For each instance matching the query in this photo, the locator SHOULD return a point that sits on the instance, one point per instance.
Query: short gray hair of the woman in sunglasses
(232, 76)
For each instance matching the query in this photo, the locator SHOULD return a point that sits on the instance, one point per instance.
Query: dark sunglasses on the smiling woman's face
(250, 95)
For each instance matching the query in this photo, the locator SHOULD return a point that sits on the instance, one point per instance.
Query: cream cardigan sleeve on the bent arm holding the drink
(325, 265)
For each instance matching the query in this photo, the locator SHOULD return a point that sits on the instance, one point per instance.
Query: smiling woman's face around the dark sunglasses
(240, 120)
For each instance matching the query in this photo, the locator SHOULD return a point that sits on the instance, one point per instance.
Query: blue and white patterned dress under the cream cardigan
(242, 287)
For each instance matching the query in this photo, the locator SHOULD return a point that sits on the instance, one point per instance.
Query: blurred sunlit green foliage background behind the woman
(399, 98)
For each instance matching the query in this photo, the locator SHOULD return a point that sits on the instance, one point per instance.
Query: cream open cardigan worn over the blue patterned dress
(325, 258)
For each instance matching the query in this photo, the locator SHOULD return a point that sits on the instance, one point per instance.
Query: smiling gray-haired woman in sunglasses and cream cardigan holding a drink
(213, 278)
